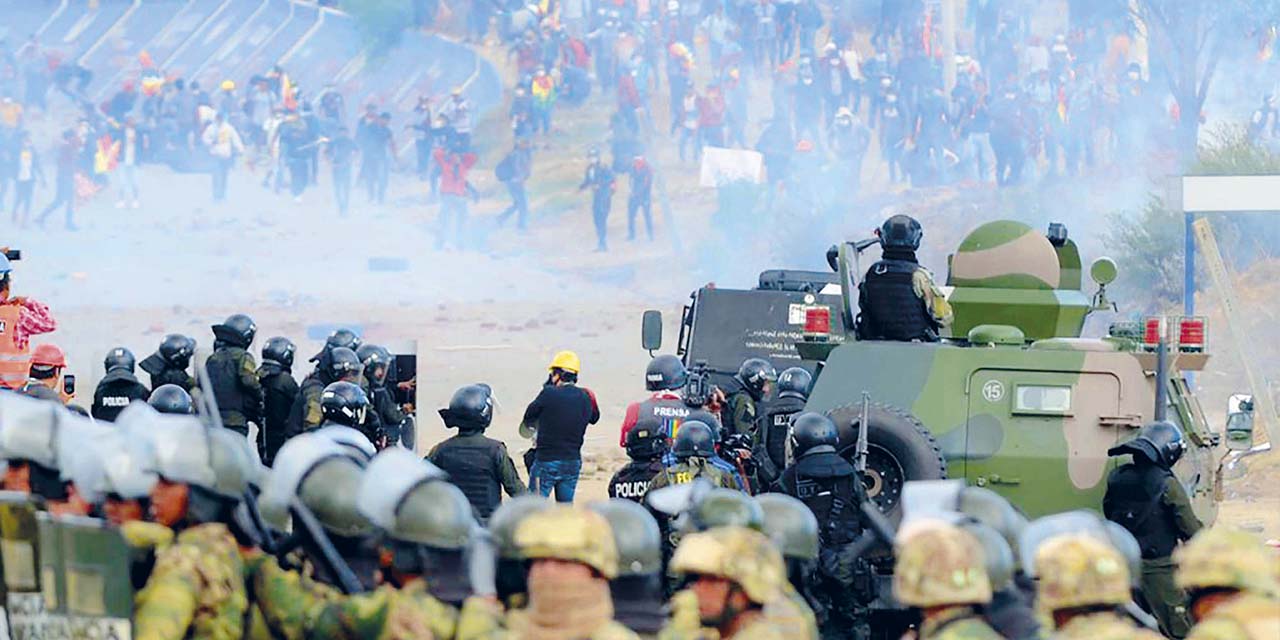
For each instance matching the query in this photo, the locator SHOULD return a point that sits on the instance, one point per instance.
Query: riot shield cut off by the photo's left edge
(20, 545)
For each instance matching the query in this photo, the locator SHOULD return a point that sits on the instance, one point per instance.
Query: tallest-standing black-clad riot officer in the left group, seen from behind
(234, 374)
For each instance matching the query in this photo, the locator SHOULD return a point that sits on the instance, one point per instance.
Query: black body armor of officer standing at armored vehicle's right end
(1135, 501)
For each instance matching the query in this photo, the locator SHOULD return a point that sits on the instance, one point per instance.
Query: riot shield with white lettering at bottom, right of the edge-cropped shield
(92, 578)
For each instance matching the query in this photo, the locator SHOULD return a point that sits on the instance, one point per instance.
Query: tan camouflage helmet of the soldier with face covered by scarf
(573, 534)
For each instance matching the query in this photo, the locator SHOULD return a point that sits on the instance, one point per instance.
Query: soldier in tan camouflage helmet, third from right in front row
(941, 572)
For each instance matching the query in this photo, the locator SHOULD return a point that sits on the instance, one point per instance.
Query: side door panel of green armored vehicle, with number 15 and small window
(1032, 436)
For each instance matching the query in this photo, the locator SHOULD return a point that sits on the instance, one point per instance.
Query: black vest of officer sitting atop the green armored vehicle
(890, 310)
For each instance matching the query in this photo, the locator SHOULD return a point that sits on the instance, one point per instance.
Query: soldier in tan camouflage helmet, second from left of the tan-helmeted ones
(734, 574)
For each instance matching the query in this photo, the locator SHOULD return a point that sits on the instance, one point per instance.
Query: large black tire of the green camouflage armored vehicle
(899, 450)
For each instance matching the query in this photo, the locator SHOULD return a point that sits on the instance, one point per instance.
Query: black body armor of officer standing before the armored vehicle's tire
(825, 483)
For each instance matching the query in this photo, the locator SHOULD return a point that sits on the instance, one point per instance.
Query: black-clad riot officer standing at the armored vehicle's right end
(1146, 499)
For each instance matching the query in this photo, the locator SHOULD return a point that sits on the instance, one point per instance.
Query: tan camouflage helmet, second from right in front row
(1078, 570)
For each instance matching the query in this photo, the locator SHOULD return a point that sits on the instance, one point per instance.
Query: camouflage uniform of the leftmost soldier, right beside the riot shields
(196, 589)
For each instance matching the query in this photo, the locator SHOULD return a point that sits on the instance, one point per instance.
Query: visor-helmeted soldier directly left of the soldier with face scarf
(426, 525)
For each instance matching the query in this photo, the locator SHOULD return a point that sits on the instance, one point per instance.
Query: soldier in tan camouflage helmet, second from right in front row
(1084, 584)
